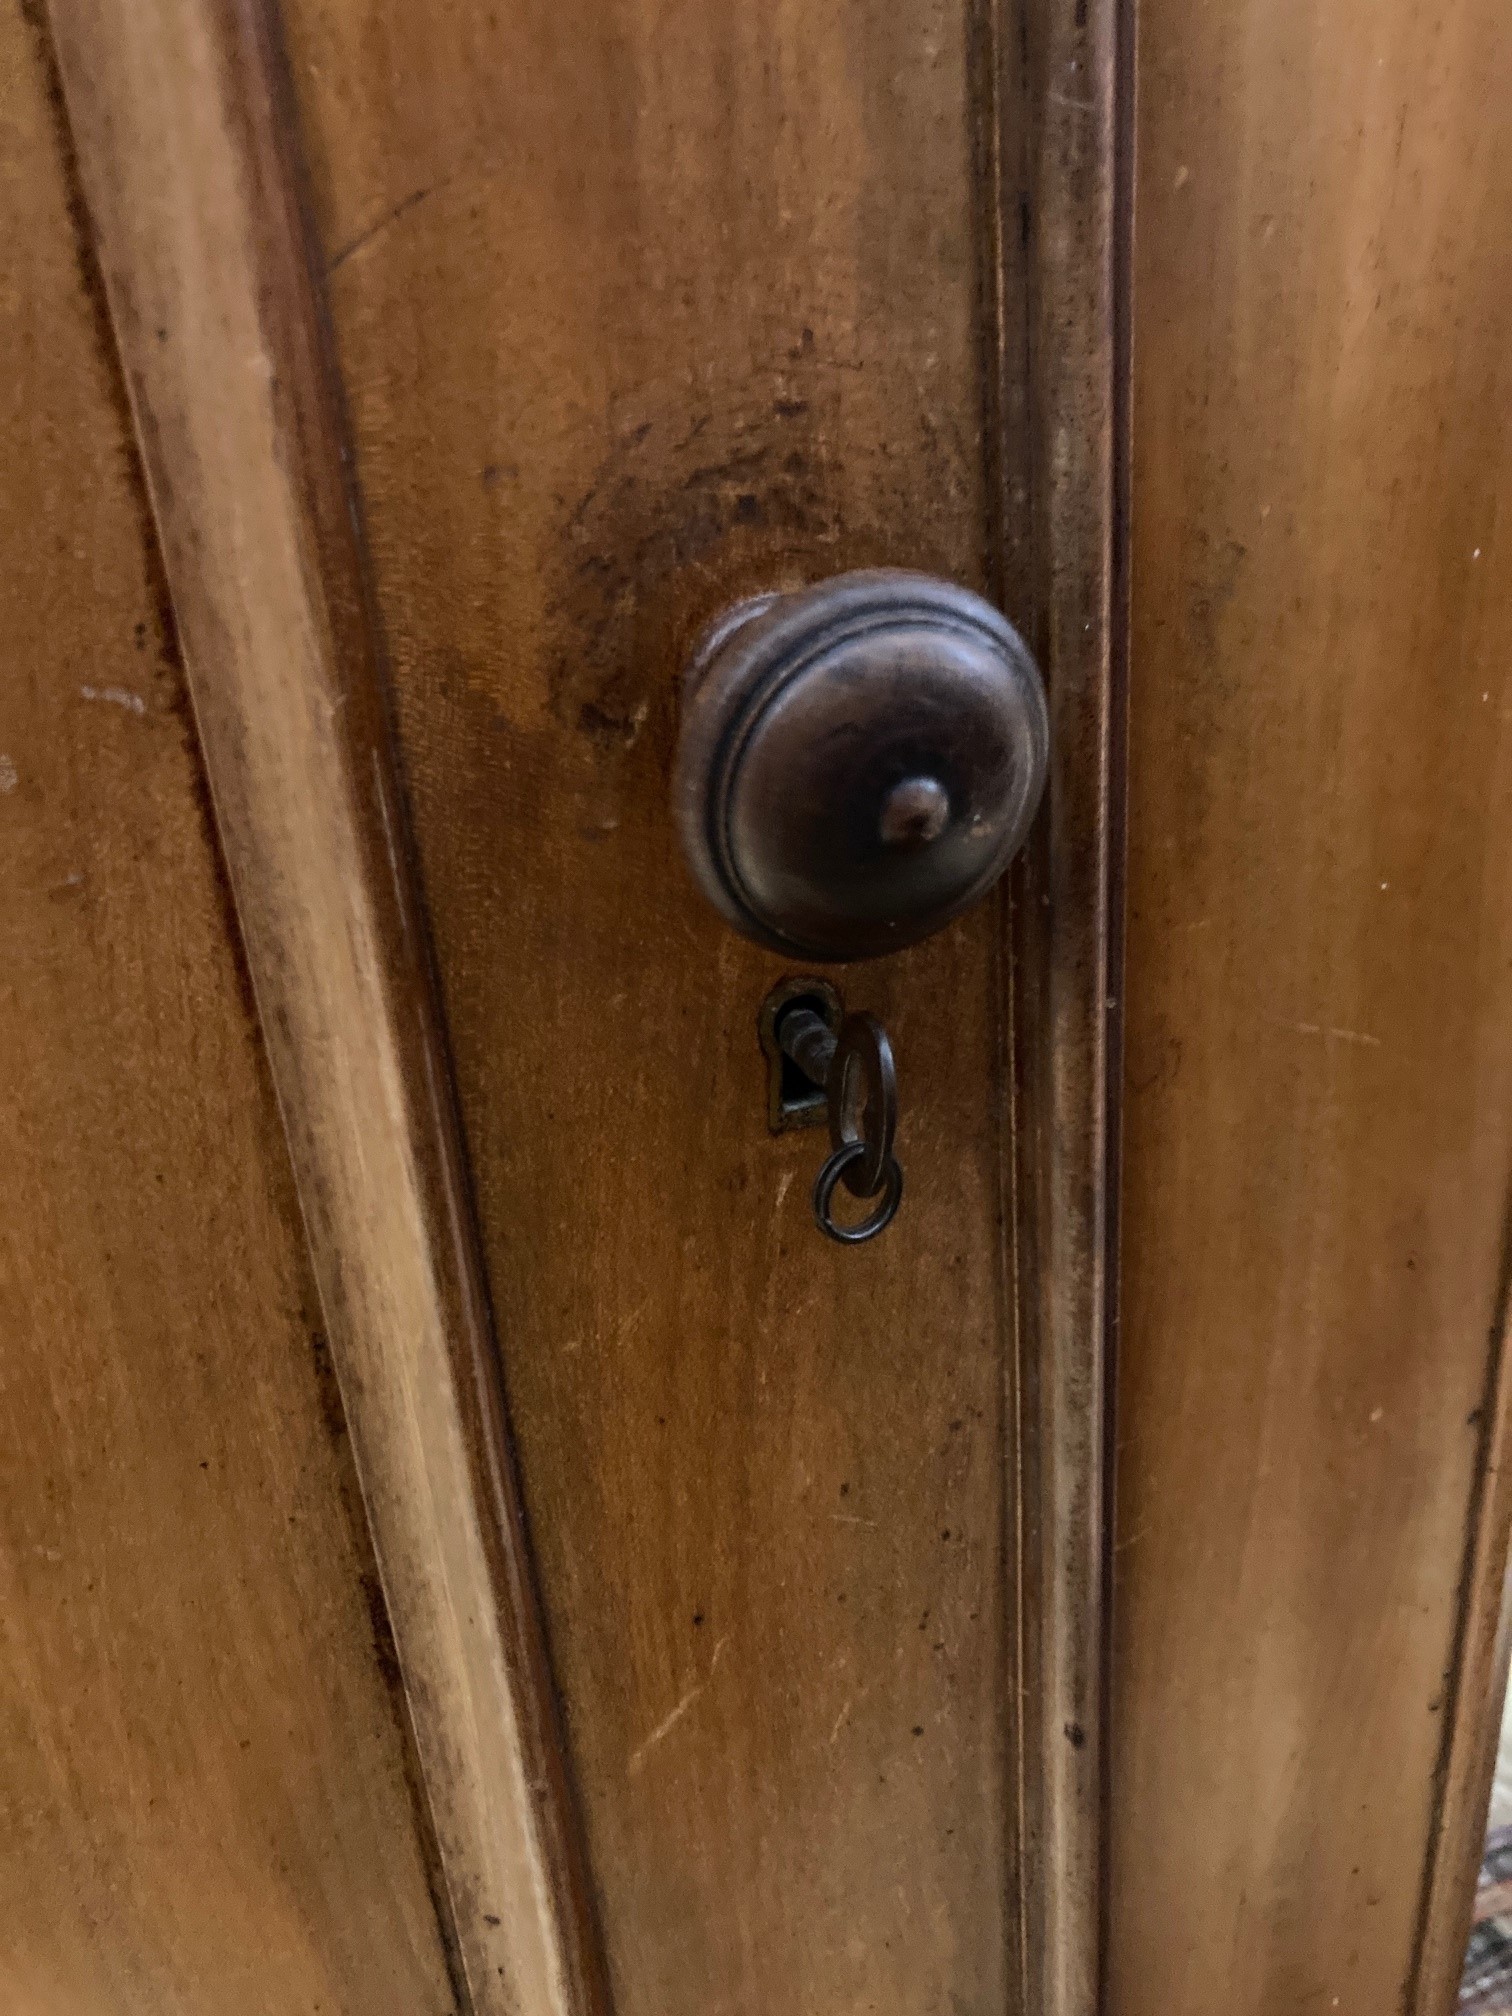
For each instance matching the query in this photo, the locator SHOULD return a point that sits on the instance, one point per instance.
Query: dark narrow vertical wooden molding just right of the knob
(1055, 148)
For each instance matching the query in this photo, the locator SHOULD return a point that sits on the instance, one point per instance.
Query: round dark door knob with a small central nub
(858, 761)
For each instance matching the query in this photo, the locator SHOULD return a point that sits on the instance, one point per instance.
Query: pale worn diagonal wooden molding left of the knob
(188, 166)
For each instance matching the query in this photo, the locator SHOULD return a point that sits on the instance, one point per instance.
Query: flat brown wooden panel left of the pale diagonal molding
(205, 1801)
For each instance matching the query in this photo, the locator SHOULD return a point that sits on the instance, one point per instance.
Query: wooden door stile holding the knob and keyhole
(644, 307)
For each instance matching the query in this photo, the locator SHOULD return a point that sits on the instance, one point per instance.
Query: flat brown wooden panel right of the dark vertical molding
(1319, 1069)
